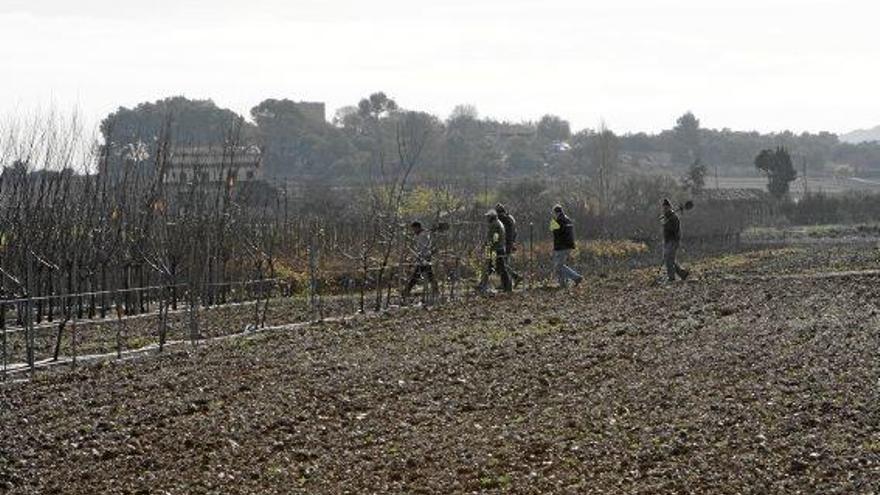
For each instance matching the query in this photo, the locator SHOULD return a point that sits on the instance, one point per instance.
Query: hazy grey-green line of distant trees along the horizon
(297, 144)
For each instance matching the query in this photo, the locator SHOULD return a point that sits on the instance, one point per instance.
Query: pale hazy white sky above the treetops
(744, 64)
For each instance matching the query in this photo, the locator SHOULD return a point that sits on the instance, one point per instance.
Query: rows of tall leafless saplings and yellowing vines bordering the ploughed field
(105, 250)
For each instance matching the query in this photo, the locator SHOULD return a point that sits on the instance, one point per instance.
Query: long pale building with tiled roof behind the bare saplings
(213, 164)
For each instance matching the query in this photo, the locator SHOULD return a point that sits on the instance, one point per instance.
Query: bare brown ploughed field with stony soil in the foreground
(759, 375)
